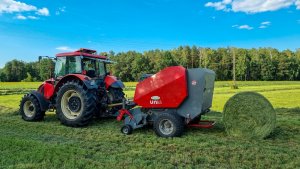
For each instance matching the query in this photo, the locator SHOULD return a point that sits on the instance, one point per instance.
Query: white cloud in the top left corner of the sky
(12, 6)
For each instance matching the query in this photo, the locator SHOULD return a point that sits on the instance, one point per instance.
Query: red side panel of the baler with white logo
(166, 89)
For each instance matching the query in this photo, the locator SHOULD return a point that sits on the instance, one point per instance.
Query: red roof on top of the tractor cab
(82, 52)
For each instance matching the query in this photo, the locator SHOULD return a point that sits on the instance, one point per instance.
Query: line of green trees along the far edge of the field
(250, 64)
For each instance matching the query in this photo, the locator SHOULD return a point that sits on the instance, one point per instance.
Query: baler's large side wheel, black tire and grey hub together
(168, 125)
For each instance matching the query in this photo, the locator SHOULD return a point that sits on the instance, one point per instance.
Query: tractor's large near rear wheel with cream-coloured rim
(75, 105)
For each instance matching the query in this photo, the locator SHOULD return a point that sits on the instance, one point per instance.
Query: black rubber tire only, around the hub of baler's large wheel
(174, 119)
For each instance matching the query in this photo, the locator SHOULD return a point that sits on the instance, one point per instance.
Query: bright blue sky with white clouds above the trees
(29, 28)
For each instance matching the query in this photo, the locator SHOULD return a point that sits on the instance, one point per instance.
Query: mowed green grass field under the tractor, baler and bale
(49, 144)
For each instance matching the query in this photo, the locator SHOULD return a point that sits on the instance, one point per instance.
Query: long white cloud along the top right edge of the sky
(252, 6)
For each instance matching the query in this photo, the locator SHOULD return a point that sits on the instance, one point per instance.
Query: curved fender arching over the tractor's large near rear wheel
(85, 80)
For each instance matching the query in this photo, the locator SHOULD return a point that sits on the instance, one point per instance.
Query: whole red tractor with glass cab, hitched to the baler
(81, 89)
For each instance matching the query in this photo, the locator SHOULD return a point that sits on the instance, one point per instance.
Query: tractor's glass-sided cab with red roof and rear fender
(86, 65)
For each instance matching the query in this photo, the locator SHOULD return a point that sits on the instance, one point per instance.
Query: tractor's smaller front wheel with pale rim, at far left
(30, 109)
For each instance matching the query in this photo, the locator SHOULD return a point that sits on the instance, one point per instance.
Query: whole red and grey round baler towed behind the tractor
(171, 99)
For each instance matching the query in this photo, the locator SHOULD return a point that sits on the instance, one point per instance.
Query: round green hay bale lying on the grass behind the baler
(249, 115)
